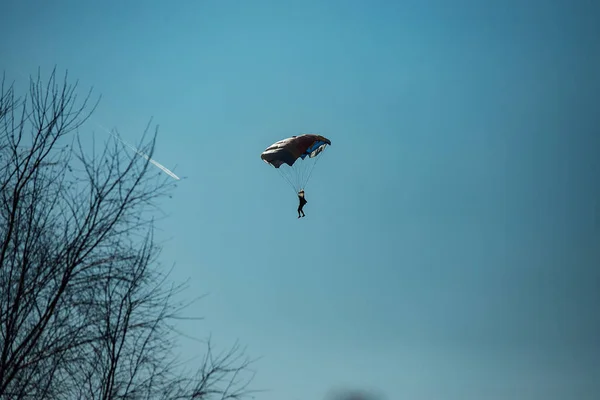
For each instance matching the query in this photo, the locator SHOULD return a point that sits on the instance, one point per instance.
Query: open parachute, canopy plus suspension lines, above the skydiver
(289, 157)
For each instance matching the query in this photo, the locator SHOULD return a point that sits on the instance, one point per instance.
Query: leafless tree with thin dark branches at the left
(85, 311)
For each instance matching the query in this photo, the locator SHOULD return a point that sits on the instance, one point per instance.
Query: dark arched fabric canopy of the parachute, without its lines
(289, 150)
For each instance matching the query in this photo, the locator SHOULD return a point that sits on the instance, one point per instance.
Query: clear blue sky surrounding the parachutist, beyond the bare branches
(451, 248)
